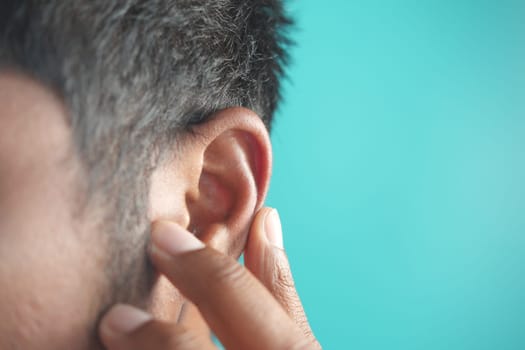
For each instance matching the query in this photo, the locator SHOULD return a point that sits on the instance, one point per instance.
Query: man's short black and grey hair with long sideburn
(134, 74)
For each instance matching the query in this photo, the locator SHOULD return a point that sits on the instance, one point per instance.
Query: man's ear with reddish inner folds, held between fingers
(216, 180)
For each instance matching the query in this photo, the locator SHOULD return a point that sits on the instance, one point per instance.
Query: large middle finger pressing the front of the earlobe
(237, 307)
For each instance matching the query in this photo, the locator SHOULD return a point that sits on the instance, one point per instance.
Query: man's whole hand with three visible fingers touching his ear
(257, 310)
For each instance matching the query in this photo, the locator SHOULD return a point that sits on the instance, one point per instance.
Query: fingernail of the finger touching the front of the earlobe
(171, 239)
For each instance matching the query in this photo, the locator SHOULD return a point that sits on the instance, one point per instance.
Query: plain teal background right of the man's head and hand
(399, 172)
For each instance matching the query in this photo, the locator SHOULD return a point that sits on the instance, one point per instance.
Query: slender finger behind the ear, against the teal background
(265, 257)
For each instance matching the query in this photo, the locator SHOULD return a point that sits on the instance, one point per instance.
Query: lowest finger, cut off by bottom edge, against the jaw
(127, 328)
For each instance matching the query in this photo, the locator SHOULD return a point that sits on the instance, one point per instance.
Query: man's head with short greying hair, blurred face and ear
(114, 114)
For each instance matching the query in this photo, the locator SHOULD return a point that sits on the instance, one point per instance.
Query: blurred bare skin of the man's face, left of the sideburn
(47, 272)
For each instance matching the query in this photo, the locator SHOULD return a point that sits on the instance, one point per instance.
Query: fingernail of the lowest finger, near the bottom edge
(123, 319)
